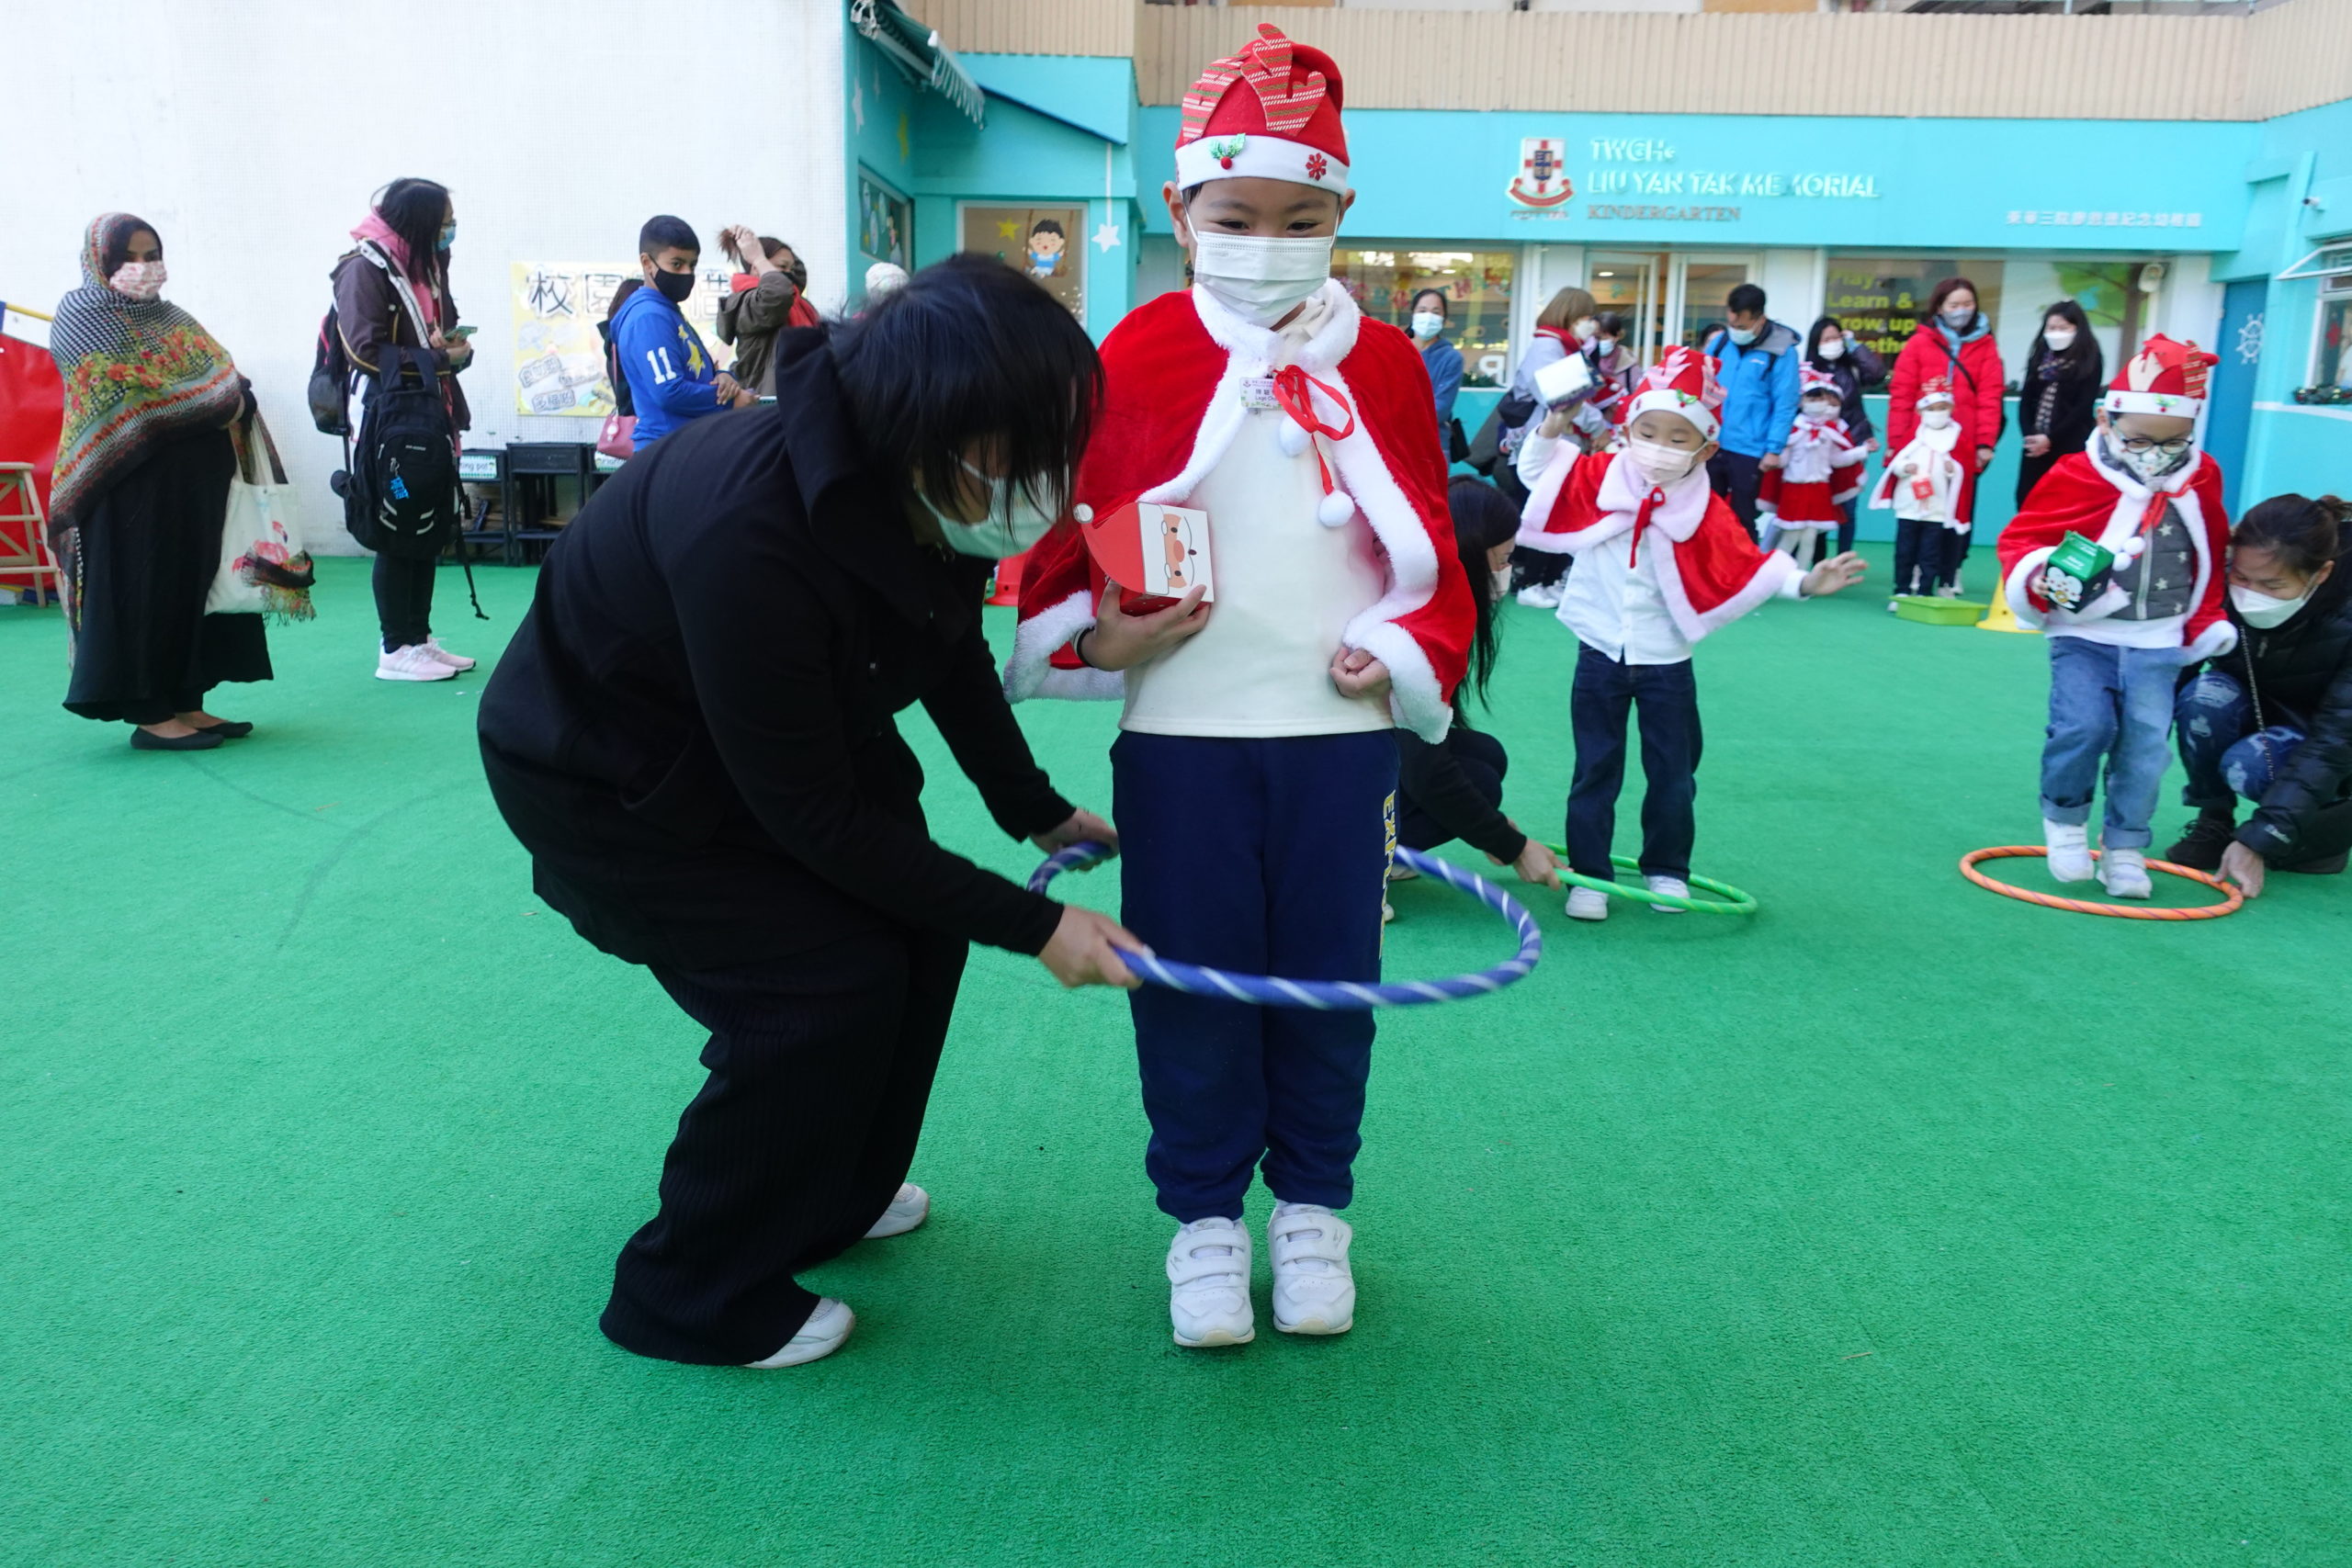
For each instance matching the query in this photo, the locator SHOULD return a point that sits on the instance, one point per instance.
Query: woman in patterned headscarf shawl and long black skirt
(142, 500)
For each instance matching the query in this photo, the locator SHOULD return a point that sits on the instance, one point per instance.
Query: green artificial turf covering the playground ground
(1899, 1224)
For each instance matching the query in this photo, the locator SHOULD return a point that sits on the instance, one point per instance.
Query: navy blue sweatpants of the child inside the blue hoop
(1262, 857)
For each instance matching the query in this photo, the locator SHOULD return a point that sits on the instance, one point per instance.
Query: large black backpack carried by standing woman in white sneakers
(403, 488)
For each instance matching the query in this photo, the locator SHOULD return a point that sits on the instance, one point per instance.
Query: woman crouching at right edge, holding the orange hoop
(2273, 718)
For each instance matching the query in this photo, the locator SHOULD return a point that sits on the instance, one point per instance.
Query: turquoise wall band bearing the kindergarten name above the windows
(1739, 180)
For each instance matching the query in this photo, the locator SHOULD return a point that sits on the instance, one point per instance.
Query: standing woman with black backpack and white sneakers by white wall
(392, 293)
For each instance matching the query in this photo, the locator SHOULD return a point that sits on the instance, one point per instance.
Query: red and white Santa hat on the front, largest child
(1269, 112)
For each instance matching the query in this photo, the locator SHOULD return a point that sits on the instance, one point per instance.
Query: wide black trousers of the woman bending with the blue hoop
(820, 1076)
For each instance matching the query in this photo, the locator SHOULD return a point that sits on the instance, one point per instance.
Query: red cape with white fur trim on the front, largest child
(1172, 406)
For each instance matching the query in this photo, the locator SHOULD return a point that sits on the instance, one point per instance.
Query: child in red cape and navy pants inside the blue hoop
(1255, 775)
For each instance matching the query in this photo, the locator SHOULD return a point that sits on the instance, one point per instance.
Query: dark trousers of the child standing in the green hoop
(1669, 709)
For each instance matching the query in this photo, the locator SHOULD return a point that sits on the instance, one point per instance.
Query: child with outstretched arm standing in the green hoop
(1662, 561)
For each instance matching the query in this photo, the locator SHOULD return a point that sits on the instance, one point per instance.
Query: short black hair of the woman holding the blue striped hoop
(970, 349)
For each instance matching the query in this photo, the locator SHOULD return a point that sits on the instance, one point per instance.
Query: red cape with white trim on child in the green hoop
(1709, 570)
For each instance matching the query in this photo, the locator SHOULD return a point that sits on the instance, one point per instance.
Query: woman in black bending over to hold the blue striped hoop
(693, 735)
